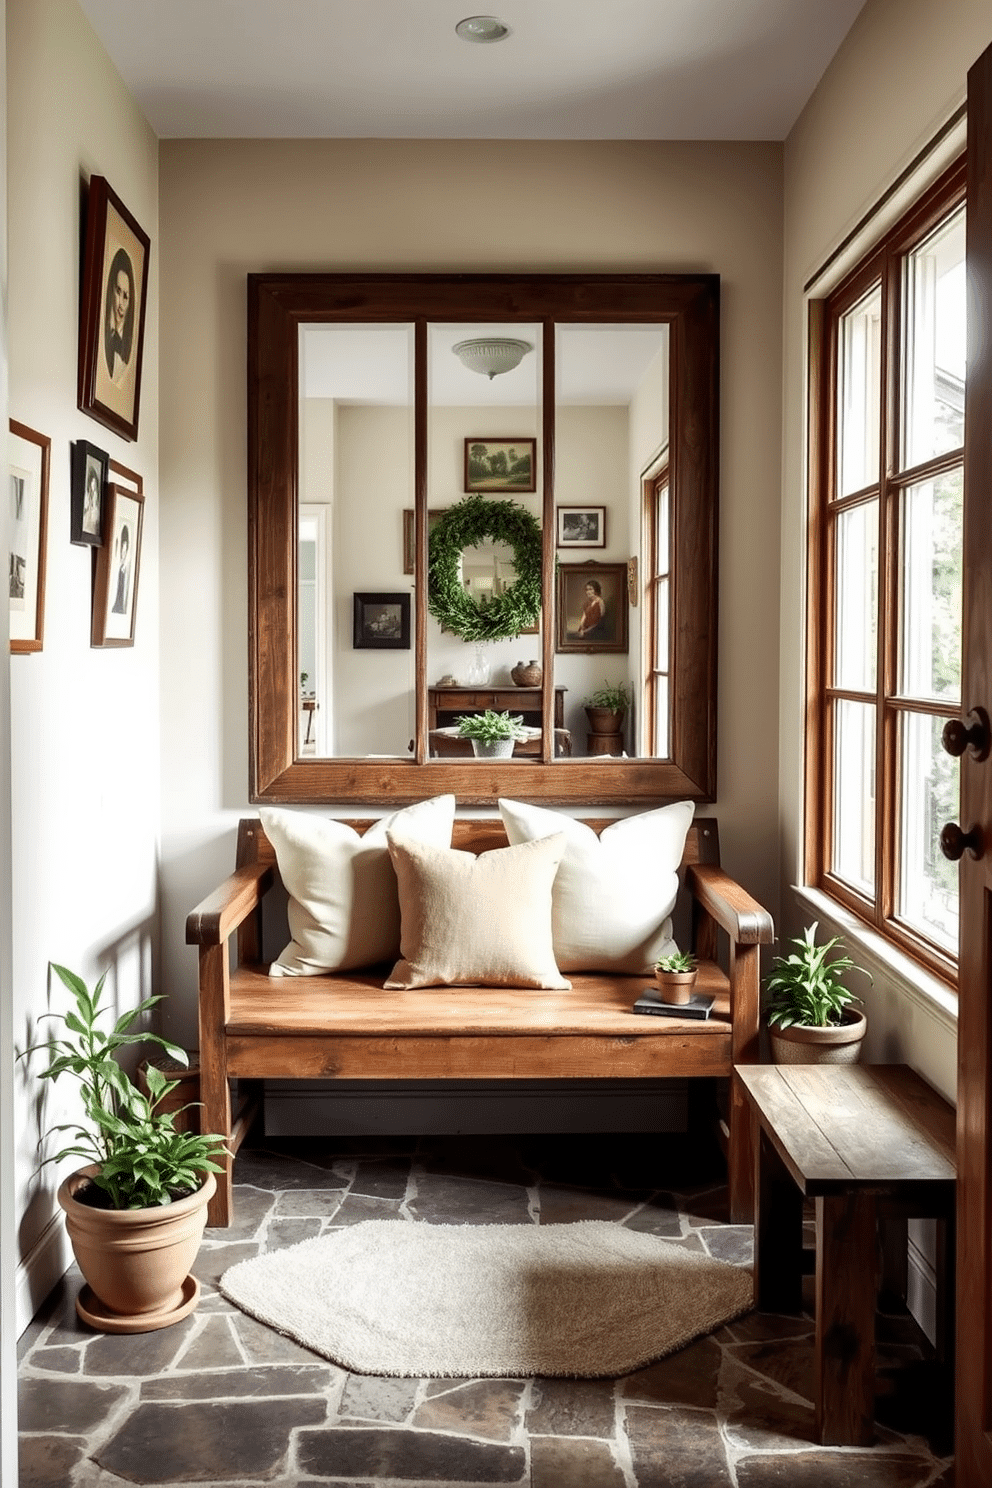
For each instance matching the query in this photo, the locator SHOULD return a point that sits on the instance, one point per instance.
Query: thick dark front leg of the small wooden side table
(847, 1279)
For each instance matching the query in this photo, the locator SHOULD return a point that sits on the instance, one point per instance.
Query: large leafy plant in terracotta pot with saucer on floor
(136, 1213)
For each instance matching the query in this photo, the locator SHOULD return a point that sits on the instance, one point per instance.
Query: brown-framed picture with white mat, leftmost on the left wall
(29, 459)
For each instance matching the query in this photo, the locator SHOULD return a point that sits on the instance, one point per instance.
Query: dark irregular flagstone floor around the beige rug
(221, 1399)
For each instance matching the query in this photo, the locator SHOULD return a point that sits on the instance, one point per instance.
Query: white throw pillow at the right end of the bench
(615, 892)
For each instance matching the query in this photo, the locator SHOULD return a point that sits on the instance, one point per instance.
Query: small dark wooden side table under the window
(866, 1144)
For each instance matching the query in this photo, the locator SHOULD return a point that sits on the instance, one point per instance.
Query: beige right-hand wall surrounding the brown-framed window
(898, 78)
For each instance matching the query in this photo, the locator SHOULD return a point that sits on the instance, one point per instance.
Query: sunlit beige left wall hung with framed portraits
(84, 724)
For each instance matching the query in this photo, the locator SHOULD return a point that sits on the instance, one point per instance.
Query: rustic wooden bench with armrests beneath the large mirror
(347, 1027)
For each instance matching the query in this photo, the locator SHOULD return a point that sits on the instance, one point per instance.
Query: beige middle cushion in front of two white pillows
(472, 920)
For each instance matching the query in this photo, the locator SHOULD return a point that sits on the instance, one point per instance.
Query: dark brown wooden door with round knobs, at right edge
(973, 1425)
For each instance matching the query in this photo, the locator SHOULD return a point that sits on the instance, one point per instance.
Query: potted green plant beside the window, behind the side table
(811, 1013)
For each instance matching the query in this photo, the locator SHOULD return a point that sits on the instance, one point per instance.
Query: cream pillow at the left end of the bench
(344, 910)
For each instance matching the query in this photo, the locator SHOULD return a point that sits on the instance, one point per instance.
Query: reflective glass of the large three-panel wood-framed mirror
(484, 440)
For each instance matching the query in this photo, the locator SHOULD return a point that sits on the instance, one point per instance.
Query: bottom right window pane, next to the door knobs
(927, 895)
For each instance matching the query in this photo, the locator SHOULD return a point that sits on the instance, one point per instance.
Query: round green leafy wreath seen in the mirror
(466, 526)
